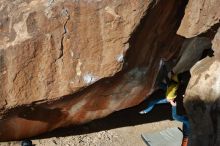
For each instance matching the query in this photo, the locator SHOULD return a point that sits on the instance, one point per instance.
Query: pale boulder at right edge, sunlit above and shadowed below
(202, 99)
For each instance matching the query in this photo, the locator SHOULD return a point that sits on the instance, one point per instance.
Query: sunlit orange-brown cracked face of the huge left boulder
(54, 48)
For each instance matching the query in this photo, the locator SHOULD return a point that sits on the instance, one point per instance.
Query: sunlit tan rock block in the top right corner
(200, 16)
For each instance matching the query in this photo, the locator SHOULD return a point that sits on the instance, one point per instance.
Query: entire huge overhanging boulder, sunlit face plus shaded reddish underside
(68, 62)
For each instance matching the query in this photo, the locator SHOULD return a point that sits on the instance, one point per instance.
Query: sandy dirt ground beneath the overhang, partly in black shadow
(123, 128)
